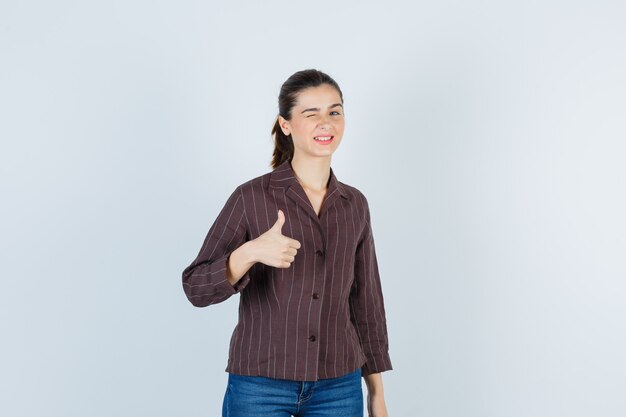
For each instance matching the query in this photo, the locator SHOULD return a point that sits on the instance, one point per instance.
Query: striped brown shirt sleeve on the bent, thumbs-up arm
(204, 280)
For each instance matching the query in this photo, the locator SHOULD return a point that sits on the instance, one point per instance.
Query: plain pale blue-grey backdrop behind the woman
(488, 137)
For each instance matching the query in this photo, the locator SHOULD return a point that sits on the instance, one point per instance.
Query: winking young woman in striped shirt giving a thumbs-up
(297, 245)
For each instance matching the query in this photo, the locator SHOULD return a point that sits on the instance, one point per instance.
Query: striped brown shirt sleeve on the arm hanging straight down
(367, 310)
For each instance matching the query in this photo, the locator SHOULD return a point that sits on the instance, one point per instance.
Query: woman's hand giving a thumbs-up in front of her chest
(275, 249)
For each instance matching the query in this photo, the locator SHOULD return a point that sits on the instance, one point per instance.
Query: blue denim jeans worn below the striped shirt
(259, 396)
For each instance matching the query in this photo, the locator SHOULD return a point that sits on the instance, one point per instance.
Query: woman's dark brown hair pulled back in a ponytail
(283, 145)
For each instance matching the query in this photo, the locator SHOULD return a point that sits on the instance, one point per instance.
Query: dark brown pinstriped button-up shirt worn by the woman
(323, 316)
